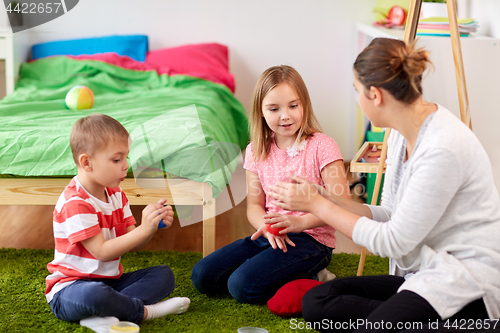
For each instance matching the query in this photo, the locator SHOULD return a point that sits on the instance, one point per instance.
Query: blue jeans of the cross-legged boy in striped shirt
(123, 298)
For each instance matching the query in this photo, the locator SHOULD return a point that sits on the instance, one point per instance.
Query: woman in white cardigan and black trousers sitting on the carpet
(440, 214)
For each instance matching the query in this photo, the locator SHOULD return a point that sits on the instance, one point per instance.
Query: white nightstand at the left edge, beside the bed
(14, 50)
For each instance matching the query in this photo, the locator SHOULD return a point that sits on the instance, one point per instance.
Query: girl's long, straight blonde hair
(261, 134)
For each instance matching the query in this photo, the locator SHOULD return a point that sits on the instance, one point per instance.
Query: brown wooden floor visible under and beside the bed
(31, 227)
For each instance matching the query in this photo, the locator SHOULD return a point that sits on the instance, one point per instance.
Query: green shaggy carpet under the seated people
(23, 307)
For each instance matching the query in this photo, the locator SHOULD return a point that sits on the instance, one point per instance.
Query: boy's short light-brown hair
(92, 133)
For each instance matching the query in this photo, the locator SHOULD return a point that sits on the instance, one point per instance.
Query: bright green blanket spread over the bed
(35, 127)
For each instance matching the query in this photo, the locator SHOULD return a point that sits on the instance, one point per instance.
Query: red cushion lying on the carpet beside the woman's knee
(287, 302)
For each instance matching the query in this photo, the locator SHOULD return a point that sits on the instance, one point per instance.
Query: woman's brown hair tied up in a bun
(394, 66)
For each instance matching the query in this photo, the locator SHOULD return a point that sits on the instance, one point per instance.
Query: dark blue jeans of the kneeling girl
(252, 271)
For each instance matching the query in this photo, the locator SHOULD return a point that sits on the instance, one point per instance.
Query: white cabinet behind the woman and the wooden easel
(481, 59)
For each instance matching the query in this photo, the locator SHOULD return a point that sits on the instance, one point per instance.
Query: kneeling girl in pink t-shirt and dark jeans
(286, 139)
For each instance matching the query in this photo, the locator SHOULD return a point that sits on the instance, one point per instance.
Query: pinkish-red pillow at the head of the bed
(206, 61)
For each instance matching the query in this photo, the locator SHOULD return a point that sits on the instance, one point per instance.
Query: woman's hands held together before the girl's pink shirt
(300, 195)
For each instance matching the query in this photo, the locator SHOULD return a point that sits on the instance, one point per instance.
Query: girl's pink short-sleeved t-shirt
(320, 150)
